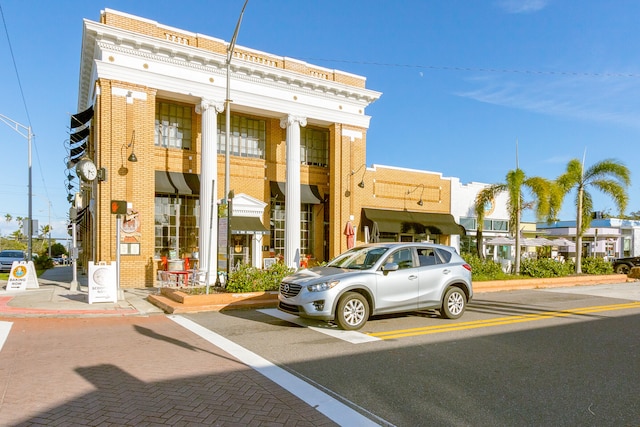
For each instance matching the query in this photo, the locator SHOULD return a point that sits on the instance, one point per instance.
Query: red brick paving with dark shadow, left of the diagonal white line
(138, 371)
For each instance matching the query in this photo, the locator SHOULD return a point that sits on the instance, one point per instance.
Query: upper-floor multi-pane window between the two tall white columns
(248, 136)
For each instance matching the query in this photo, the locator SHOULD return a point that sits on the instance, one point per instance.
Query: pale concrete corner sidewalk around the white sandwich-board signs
(54, 297)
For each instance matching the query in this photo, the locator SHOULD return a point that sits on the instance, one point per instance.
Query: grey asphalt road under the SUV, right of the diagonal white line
(561, 357)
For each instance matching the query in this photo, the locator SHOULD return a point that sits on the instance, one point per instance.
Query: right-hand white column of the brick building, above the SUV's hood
(292, 197)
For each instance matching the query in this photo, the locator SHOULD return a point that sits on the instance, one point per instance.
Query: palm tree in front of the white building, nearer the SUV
(546, 203)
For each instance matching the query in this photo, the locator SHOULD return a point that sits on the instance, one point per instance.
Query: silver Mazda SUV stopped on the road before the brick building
(377, 279)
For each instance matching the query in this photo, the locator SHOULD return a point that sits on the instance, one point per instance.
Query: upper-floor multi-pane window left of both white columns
(173, 125)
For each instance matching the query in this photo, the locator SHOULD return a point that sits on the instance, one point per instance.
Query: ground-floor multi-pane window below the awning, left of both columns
(176, 225)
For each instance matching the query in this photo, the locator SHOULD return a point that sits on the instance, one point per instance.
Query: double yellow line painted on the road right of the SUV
(402, 333)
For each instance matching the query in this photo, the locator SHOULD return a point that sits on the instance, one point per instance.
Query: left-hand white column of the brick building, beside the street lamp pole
(208, 230)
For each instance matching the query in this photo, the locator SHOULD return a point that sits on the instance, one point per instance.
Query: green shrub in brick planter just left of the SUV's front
(251, 279)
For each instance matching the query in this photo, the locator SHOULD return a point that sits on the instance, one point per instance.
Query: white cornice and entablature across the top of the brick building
(188, 70)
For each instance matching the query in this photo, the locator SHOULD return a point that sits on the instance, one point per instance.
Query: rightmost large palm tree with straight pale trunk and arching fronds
(609, 176)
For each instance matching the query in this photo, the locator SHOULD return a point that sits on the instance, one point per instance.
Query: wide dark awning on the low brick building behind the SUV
(411, 222)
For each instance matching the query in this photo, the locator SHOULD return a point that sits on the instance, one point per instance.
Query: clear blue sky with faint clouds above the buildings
(462, 81)
